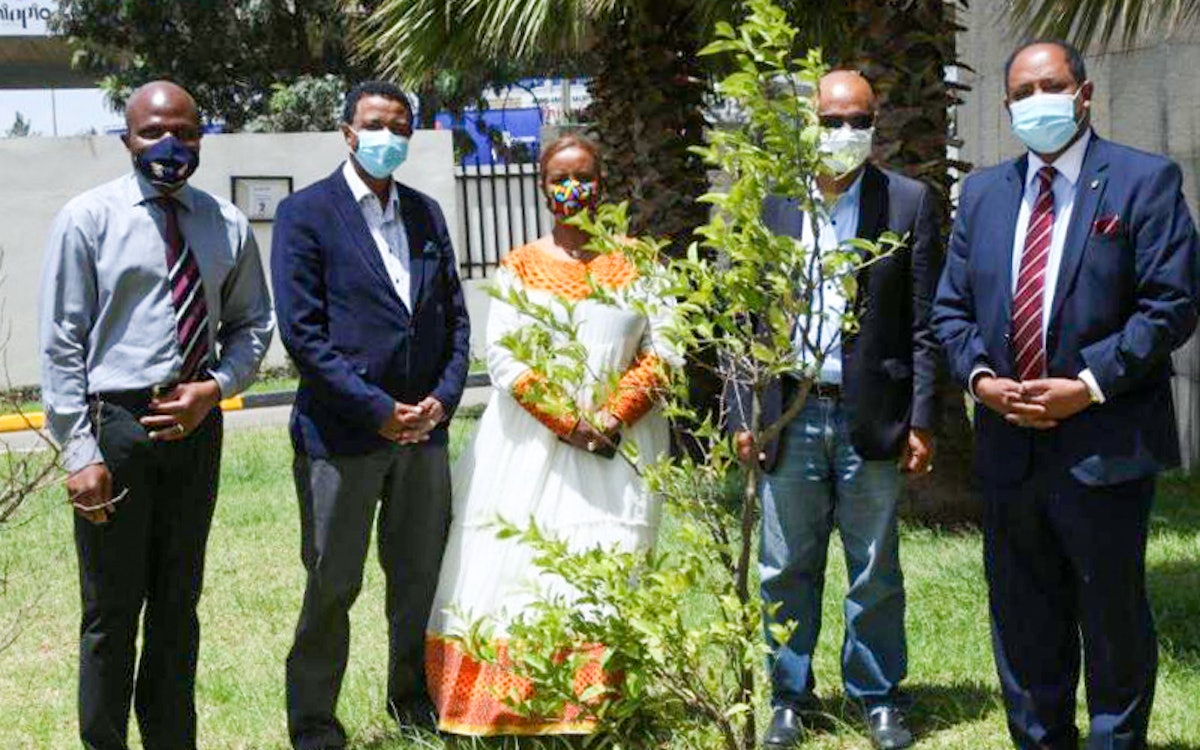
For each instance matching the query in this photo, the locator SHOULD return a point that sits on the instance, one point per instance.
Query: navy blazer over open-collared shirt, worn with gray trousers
(357, 347)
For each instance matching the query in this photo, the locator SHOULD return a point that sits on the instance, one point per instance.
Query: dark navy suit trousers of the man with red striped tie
(1067, 579)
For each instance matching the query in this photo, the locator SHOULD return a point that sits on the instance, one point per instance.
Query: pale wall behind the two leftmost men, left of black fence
(38, 176)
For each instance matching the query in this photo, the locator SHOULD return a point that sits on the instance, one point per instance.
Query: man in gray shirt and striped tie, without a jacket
(154, 309)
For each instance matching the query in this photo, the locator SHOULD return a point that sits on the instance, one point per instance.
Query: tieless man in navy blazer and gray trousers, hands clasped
(371, 310)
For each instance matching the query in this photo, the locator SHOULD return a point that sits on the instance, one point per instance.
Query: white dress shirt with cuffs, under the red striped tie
(1067, 169)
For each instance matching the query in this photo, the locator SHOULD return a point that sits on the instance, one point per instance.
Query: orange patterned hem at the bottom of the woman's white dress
(470, 695)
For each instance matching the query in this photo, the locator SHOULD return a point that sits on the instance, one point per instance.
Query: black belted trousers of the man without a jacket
(147, 563)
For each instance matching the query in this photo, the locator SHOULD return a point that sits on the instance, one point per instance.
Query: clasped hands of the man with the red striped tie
(1040, 405)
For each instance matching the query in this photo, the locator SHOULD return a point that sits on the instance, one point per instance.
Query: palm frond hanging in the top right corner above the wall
(1088, 22)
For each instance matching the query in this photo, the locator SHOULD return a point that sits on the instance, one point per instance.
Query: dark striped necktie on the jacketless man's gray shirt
(187, 295)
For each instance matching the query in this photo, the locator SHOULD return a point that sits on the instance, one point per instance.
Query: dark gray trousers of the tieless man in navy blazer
(338, 505)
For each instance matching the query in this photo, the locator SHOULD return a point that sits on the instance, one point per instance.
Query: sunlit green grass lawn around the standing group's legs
(255, 583)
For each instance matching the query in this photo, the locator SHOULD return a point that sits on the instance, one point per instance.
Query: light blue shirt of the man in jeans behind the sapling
(838, 227)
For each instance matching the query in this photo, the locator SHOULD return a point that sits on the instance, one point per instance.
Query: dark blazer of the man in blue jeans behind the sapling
(890, 365)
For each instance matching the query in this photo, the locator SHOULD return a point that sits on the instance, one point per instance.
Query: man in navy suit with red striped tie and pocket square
(1071, 279)
